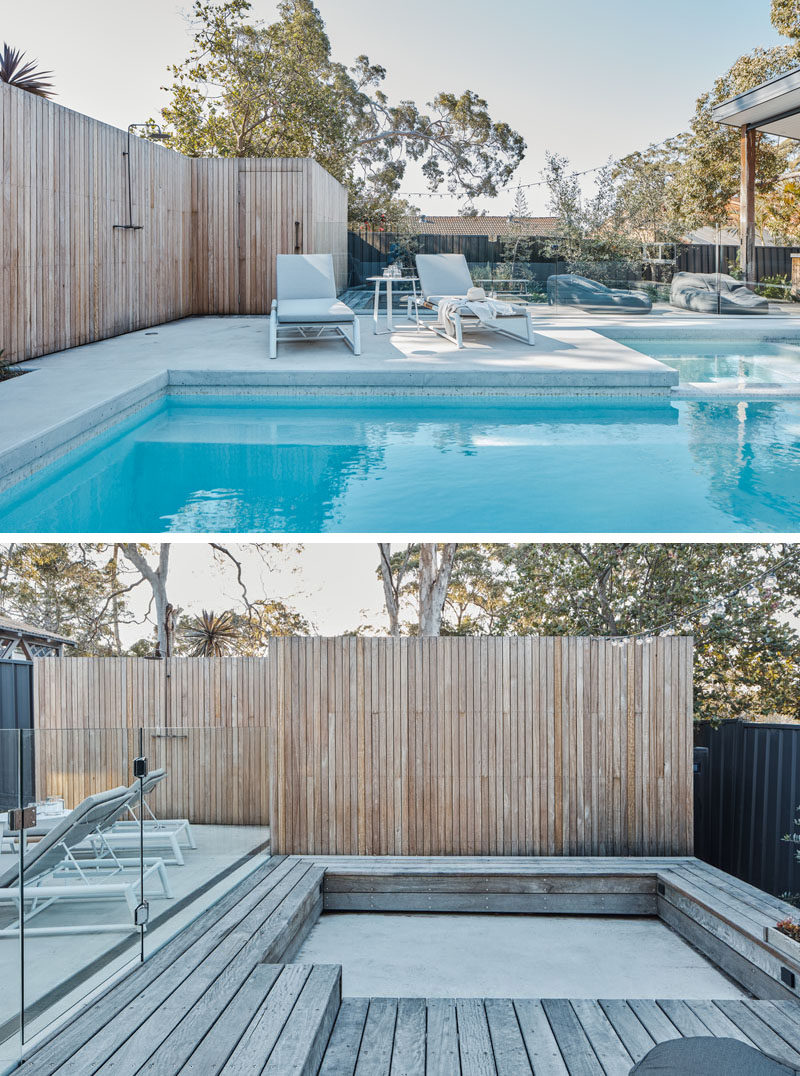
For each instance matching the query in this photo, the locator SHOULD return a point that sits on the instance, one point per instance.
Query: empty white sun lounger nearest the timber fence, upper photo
(307, 308)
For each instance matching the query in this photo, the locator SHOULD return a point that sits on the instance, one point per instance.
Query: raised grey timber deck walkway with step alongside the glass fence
(212, 988)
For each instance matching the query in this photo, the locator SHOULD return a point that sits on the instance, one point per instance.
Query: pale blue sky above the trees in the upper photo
(580, 78)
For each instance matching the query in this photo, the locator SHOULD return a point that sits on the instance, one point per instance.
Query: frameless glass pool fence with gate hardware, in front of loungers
(113, 842)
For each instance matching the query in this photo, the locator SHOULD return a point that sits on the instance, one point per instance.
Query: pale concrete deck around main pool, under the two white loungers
(75, 394)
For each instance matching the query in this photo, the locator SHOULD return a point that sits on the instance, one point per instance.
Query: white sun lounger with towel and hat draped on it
(447, 277)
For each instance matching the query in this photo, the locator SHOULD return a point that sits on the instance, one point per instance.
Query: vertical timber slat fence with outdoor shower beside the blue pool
(209, 232)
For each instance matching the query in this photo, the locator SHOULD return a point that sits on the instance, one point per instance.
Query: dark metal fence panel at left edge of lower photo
(17, 713)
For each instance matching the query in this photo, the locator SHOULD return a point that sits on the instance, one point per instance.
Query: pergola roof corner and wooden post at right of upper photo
(774, 108)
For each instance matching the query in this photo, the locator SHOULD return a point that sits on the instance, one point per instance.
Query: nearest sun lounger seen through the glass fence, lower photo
(57, 872)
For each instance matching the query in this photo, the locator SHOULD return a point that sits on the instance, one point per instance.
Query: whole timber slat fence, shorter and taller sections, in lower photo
(454, 746)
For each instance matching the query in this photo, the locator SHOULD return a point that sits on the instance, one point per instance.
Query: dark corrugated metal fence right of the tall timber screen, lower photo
(746, 802)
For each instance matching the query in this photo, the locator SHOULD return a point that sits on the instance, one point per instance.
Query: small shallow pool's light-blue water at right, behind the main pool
(739, 364)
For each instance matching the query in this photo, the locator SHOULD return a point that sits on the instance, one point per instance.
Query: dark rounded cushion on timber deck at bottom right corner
(712, 1057)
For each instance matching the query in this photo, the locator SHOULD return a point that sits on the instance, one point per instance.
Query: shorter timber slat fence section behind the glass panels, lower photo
(205, 723)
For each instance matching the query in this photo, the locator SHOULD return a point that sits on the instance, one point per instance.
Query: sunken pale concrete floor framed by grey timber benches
(446, 956)
